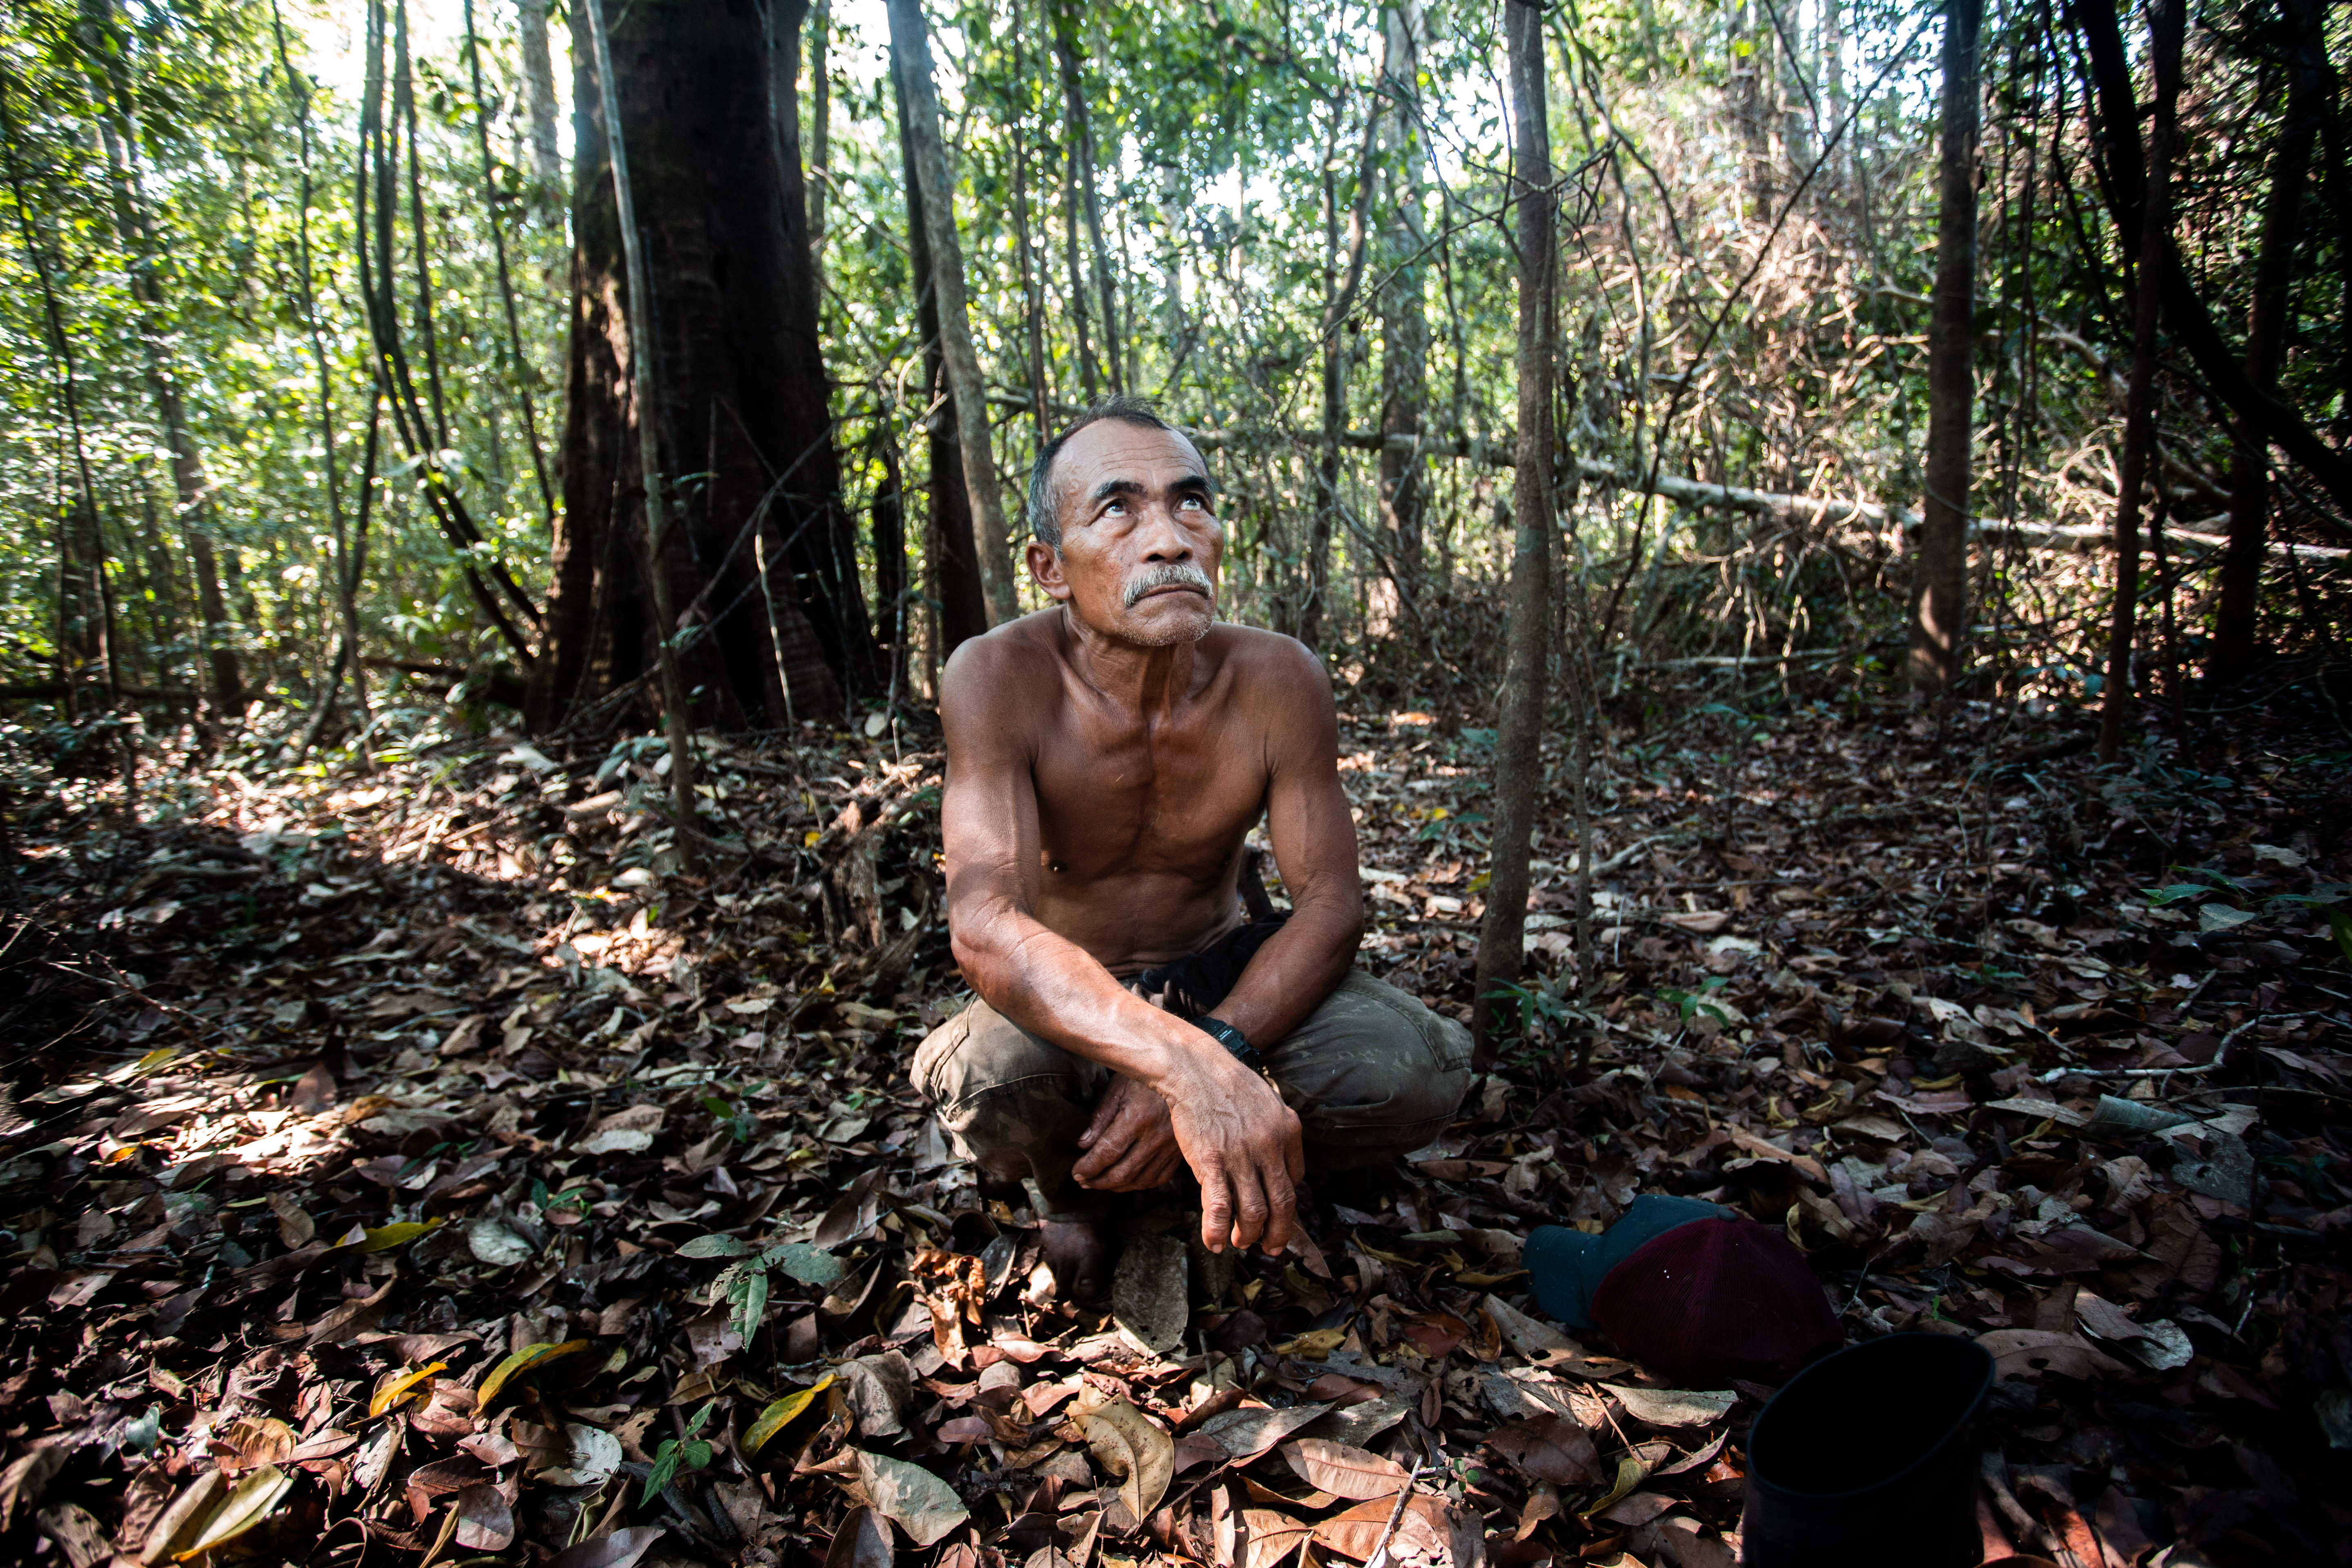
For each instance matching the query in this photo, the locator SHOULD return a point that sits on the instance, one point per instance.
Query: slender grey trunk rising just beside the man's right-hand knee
(1518, 751)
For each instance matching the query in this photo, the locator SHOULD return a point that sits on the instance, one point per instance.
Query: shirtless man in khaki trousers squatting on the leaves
(1104, 763)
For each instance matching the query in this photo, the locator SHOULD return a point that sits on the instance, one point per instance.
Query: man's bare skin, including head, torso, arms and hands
(1104, 763)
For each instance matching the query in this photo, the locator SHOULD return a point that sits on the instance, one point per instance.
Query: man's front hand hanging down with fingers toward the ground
(1245, 1148)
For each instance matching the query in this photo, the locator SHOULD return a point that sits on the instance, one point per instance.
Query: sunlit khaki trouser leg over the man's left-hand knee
(1013, 1101)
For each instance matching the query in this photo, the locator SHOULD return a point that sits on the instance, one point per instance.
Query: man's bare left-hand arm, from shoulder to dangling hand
(1234, 1130)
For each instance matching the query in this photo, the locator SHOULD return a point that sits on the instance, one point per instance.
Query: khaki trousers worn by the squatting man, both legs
(1372, 1073)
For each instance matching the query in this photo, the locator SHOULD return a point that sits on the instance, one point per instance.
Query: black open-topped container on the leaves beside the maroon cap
(1871, 1456)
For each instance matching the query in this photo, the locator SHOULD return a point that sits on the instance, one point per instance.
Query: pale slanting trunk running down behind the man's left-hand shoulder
(911, 48)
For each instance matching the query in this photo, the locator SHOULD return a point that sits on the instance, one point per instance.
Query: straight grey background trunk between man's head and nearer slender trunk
(1405, 326)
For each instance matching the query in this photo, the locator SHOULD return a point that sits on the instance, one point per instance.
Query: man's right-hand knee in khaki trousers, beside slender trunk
(1372, 1073)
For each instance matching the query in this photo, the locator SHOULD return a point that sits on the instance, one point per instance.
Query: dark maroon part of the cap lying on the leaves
(1713, 1301)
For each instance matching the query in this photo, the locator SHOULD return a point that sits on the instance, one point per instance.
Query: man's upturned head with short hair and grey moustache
(1140, 537)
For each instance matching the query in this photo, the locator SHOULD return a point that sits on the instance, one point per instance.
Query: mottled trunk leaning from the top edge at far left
(189, 481)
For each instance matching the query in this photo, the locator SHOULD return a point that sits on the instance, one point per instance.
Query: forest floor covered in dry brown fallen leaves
(422, 1167)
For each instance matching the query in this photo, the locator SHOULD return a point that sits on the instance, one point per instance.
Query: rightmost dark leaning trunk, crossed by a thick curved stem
(2266, 347)
